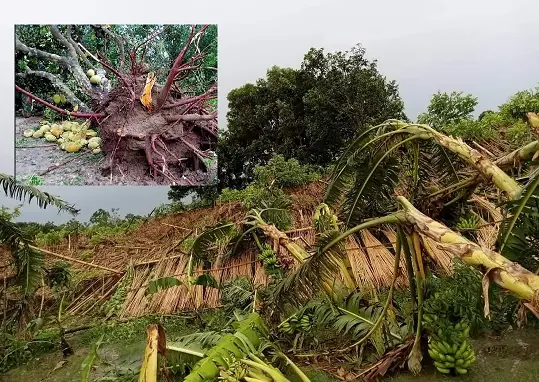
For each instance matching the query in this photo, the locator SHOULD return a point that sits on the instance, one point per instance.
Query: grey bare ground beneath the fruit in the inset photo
(33, 157)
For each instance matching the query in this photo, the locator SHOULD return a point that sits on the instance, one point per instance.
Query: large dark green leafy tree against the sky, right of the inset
(308, 113)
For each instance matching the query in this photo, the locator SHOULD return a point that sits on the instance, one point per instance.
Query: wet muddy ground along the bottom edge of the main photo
(513, 357)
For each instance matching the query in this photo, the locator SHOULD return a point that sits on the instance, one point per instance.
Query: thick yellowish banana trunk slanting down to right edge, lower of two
(509, 275)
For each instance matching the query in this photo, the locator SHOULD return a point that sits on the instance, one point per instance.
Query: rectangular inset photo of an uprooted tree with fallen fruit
(99, 105)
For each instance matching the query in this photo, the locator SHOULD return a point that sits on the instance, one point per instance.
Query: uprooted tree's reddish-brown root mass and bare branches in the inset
(170, 141)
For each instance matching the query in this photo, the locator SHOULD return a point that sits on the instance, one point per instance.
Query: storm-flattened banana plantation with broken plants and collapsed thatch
(394, 260)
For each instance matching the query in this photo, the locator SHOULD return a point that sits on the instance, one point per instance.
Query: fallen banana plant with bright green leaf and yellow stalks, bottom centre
(239, 356)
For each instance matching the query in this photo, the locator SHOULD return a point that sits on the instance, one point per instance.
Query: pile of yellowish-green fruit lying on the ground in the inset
(71, 136)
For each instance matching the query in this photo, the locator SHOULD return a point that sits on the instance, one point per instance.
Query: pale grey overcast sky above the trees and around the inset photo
(487, 48)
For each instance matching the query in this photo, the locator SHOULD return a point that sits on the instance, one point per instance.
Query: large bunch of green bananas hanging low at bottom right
(449, 347)
